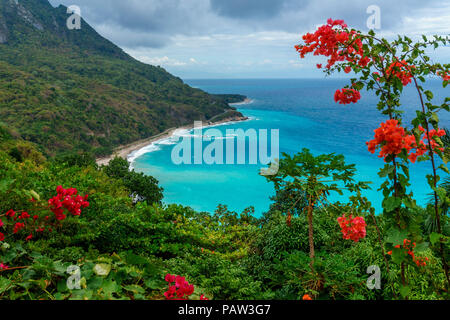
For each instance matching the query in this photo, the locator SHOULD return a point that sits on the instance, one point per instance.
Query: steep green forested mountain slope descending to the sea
(72, 90)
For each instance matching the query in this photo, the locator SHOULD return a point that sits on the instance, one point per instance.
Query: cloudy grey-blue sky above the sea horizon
(246, 38)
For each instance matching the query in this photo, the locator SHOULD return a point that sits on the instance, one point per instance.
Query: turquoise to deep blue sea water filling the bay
(305, 113)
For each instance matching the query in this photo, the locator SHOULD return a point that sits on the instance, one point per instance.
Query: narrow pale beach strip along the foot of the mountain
(125, 150)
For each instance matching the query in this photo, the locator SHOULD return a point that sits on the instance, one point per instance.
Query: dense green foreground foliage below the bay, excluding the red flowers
(125, 246)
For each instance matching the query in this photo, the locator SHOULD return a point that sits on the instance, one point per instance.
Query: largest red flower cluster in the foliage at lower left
(68, 199)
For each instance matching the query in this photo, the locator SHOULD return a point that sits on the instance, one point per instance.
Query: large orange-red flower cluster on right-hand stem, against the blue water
(392, 138)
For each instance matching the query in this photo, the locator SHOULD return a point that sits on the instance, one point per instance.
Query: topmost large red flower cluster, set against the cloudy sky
(334, 41)
